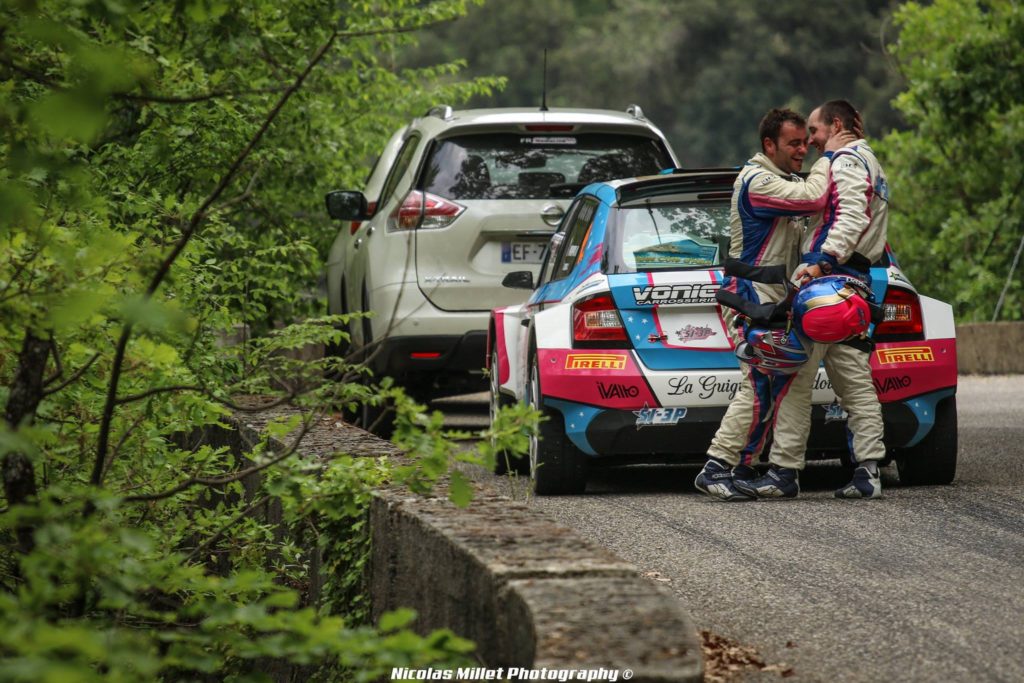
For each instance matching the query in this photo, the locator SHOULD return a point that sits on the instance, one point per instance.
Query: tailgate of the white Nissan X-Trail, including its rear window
(498, 184)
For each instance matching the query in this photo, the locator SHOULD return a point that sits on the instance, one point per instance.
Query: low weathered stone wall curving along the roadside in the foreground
(529, 592)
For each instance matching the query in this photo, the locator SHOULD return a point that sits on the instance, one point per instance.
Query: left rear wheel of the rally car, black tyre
(556, 465)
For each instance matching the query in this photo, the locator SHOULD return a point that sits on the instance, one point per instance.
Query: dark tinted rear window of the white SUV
(499, 166)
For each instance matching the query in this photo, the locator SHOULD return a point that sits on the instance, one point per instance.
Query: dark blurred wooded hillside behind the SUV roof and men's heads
(705, 71)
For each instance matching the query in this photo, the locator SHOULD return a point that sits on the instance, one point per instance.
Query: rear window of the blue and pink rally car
(670, 237)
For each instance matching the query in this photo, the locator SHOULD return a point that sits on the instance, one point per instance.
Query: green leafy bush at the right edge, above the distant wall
(958, 218)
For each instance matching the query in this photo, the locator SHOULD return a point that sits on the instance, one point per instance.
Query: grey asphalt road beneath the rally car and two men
(924, 585)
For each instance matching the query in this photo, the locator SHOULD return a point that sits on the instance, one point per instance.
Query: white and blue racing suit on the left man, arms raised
(764, 233)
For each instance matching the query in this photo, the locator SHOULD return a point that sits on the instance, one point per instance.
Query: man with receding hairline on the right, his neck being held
(849, 238)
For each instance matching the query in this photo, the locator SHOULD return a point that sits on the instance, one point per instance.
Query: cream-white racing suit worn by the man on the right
(850, 238)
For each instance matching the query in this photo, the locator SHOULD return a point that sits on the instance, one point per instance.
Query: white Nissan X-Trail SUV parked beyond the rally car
(457, 201)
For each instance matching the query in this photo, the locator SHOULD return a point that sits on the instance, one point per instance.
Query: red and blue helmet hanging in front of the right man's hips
(833, 309)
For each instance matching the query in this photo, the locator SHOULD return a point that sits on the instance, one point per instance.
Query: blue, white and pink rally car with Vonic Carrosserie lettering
(624, 350)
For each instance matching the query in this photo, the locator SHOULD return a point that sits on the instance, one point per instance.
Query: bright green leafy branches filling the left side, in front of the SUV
(160, 232)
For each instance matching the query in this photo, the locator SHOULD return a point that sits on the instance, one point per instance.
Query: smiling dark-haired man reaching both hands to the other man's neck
(767, 196)
